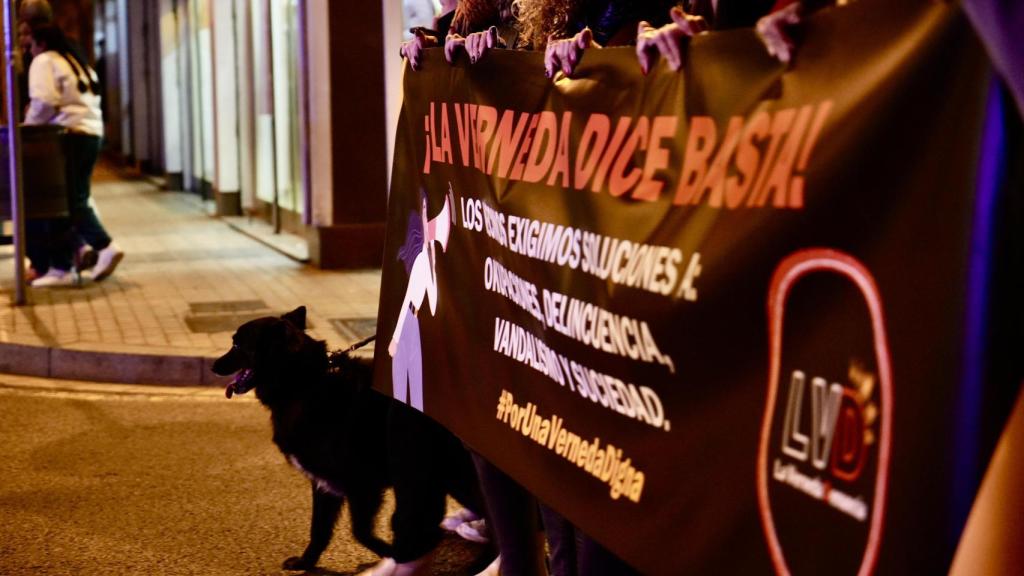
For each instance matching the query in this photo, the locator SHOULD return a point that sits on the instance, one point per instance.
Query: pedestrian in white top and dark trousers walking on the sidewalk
(65, 92)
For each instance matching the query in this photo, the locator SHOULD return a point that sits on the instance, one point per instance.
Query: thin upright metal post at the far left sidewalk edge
(15, 155)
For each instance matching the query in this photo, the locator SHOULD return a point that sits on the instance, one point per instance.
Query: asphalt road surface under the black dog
(119, 480)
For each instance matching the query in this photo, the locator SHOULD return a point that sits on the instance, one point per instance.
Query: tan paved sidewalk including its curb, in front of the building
(187, 282)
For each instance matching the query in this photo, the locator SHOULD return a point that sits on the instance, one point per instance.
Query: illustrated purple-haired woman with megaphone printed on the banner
(420, 257)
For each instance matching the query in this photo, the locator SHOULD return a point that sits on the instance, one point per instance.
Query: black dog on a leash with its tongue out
(333, 428)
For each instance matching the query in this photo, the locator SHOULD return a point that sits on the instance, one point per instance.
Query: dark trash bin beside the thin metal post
(45, 173)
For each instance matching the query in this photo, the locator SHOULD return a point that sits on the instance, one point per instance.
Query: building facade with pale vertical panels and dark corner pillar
(280, 111)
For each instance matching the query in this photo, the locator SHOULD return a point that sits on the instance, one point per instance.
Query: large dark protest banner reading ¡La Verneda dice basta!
(740, 319)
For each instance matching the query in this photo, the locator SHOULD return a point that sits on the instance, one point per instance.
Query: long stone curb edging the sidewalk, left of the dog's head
(106, 366)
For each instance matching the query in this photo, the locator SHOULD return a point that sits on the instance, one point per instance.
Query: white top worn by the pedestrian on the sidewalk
(57, 100)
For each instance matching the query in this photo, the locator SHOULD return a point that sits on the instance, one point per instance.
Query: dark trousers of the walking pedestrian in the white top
(53, 242)
